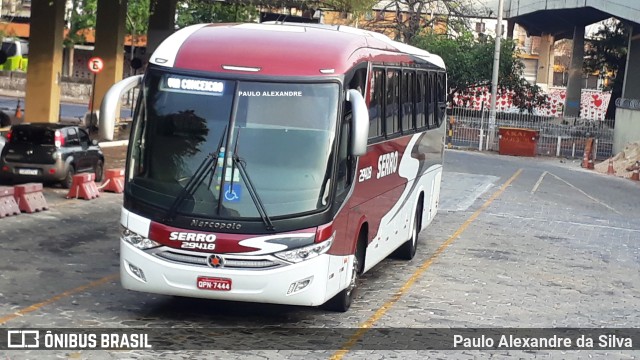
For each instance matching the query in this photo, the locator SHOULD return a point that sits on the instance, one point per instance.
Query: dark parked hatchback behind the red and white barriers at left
(49, 153)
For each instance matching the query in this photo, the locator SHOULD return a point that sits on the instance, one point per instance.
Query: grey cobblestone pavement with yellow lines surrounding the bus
(557, 248)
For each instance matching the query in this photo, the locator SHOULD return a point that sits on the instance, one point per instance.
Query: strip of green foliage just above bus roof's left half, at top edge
(204, 11)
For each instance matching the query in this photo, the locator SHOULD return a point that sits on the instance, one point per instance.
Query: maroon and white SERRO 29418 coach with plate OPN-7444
(277, 163)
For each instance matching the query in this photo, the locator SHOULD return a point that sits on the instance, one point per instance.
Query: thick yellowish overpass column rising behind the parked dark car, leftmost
(42, 101)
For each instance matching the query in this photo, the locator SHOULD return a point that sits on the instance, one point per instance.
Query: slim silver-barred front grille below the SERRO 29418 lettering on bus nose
(230, 262)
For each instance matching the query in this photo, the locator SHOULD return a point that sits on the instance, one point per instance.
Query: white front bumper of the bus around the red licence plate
(308, 283)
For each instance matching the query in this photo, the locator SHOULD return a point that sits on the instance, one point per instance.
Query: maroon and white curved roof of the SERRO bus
(282, 49)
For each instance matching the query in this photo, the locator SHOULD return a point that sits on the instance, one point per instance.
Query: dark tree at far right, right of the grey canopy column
(607, 54)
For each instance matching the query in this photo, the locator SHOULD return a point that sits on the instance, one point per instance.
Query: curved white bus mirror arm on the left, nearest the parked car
(109, 110)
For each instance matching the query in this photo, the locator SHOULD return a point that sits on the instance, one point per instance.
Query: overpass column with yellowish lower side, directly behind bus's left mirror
(110, 33)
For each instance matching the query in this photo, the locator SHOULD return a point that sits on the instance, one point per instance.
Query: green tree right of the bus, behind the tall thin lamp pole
(470, 64)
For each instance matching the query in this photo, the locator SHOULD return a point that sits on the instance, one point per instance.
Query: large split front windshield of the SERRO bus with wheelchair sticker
(281, 135)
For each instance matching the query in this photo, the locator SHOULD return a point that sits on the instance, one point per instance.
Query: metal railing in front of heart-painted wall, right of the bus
(561, 137)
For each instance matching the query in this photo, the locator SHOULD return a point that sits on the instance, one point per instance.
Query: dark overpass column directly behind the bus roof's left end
(161, 23)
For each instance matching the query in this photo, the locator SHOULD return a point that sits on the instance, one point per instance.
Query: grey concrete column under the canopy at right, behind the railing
(574, 85)
